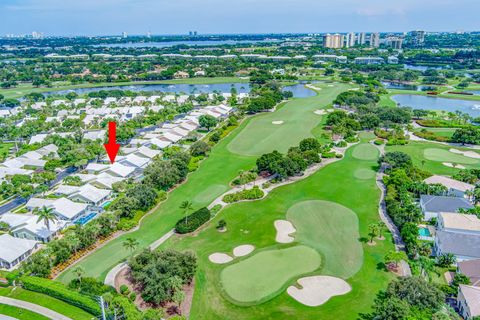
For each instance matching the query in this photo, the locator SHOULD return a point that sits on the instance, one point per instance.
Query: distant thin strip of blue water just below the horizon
(166, 44)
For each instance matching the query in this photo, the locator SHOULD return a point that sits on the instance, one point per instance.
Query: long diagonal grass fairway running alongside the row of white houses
(214, 175)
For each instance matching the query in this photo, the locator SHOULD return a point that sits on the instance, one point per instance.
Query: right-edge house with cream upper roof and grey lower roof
(458, 234)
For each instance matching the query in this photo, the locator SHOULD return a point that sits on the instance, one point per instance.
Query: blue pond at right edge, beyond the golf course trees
(437, 103)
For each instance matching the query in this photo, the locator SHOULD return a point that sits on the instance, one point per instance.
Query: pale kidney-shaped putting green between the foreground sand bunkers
(265, 274)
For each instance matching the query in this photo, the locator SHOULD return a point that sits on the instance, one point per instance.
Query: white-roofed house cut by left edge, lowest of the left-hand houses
(14, 250)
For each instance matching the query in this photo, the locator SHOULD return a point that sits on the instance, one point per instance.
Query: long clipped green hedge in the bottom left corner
(59, 291)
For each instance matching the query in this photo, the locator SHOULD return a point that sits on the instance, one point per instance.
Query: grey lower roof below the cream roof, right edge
(460, 244)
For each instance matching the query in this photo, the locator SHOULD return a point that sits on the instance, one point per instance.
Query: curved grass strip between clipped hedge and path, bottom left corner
(47, 302)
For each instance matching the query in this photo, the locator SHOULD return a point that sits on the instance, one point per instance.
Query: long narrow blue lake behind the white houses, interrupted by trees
(299, 90)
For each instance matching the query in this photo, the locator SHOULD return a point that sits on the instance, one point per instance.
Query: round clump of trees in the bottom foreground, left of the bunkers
(163, 274)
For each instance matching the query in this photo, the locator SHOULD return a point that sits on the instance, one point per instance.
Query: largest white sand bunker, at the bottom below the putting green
(317, 290)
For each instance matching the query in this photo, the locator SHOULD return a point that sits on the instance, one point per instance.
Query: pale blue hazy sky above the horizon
(112, 17)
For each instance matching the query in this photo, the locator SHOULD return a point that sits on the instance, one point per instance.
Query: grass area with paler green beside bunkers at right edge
(429, 156)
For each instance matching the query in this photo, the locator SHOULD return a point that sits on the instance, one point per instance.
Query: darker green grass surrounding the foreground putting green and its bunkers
(253, 223)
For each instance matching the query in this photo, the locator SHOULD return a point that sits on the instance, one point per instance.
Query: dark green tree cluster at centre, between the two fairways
(294, 162)
